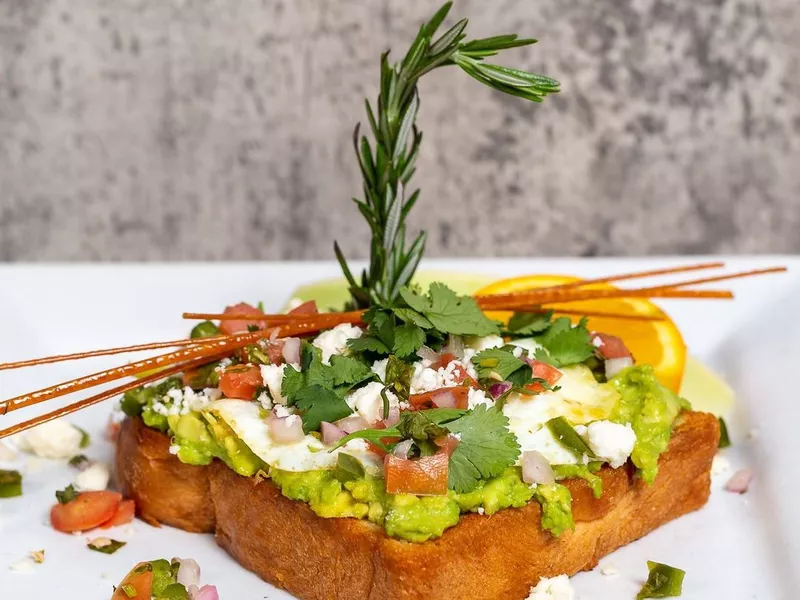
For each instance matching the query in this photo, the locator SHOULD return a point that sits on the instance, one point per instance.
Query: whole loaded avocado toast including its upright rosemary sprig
(415, 439)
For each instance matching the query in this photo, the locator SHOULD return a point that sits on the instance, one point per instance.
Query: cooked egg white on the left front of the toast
(308, 454)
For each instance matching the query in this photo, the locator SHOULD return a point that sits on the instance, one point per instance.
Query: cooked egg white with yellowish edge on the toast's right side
(580, 399)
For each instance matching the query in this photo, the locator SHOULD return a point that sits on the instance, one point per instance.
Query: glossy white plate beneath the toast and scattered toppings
(737, 547)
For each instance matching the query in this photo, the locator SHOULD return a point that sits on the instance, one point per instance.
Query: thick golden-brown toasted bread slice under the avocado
(482, 558)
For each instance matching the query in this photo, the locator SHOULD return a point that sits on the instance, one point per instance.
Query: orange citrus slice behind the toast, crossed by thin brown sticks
(658, 343)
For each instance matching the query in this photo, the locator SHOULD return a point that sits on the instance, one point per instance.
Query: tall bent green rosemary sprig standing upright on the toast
(388, 167)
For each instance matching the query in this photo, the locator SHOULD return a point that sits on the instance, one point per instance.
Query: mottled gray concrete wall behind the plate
(219, 129)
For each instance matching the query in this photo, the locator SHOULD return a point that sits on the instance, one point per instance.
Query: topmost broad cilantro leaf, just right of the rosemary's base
(448, 312)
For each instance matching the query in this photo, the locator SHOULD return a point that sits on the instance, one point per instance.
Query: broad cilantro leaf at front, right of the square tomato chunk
(485, 450)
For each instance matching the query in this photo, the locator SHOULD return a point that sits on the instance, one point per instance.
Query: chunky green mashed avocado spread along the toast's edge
(200, 437)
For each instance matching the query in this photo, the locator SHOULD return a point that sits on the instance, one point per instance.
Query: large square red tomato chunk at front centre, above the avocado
(426, 476)
